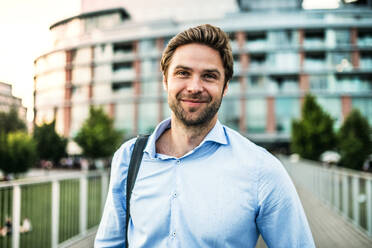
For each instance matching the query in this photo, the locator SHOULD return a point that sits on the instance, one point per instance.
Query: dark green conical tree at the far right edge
(354, 140)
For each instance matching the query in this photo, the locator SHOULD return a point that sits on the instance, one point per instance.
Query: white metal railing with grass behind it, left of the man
(49, 211)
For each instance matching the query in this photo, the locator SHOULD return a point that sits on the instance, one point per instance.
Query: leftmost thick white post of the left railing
(16, 218)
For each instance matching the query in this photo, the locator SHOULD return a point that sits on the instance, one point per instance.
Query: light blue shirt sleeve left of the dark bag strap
(112, 231)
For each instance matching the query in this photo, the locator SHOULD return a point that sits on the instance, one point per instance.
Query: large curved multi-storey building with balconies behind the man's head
(280, 54)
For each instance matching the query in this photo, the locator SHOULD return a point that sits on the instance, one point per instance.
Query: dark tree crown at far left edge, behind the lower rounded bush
(10, 122)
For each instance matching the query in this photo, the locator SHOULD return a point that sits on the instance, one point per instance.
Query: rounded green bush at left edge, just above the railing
(18, 152)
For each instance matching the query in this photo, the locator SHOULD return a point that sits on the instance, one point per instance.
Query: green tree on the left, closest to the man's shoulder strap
(97, 136)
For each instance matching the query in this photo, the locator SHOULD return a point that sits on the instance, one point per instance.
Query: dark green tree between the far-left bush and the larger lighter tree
(49, 145)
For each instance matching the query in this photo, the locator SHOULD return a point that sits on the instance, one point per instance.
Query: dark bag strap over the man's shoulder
(135, 163)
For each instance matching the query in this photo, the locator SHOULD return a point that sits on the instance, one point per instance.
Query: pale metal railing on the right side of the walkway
(346, 191)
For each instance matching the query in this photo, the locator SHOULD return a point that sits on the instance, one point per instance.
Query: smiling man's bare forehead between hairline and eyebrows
(197, 56)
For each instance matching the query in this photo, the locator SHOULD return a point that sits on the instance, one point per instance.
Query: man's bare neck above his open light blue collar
(180, 139)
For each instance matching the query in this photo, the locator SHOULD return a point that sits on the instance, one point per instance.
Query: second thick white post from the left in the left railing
(55, 213)
